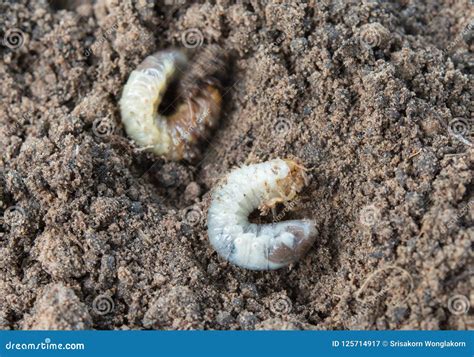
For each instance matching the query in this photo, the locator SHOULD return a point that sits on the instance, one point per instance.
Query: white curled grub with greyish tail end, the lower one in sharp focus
(259, 246)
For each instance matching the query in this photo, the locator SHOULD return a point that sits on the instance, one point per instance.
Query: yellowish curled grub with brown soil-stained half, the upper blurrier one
(172, 136)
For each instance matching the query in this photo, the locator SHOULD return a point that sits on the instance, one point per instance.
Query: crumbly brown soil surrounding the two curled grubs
(100, 234)
